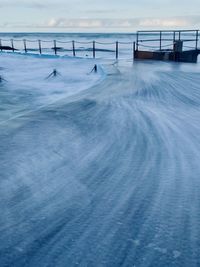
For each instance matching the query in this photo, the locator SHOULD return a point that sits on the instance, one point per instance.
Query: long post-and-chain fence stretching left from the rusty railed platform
(58, 46)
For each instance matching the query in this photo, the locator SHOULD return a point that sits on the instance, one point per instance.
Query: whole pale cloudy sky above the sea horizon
(98, 15)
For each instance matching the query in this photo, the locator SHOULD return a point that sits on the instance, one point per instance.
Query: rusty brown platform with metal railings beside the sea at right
(180, 45)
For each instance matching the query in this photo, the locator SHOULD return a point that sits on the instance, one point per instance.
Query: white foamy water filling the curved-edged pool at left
(27, 87)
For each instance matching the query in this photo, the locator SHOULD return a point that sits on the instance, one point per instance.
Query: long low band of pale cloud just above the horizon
(128, 25)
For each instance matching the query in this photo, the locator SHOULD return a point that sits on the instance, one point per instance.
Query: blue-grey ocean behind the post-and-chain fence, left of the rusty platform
(105, 43)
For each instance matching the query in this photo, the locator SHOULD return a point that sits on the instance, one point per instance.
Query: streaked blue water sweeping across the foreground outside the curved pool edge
(107, 177)
